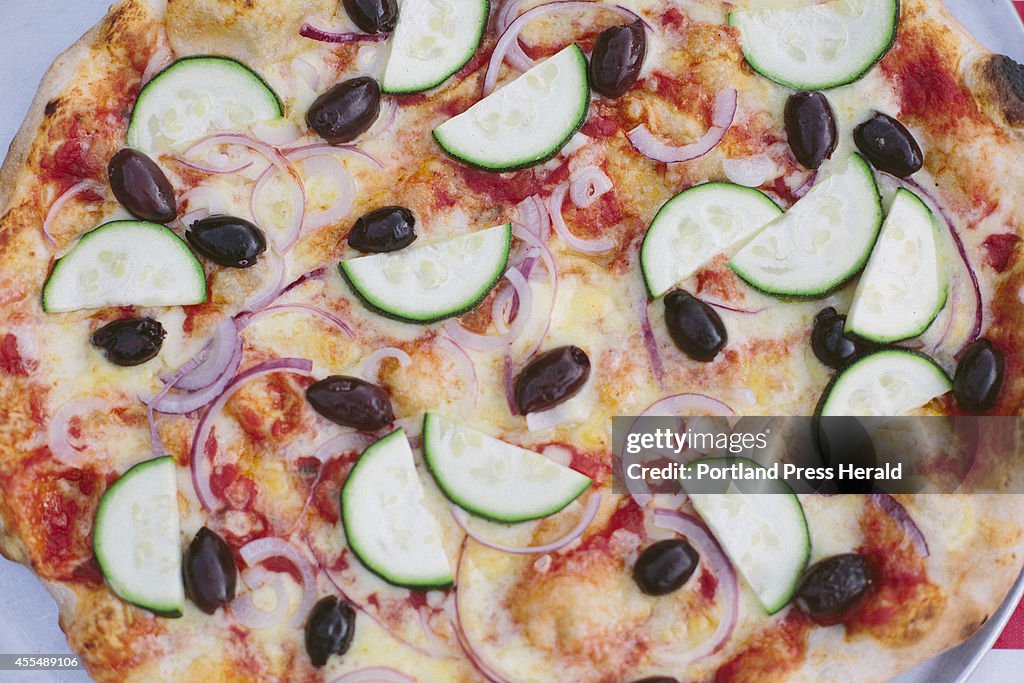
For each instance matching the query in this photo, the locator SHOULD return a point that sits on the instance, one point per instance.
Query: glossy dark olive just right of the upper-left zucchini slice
(347, 111)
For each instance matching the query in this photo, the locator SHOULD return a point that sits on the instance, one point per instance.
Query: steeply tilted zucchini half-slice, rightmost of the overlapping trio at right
(904, 286)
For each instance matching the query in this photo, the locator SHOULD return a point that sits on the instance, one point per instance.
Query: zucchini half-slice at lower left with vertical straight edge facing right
(138, 541)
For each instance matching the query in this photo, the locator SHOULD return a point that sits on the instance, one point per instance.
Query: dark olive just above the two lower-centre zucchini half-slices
(352, 403)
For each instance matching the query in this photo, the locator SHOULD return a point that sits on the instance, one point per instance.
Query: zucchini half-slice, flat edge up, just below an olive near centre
(430, 283)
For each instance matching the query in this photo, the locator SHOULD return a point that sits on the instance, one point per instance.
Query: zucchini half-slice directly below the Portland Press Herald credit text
(764, 534)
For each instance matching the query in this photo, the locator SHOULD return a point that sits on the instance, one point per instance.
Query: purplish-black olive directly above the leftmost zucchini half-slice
(142, 187)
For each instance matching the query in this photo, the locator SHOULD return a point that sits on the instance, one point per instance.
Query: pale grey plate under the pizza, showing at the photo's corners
(32, 34)
